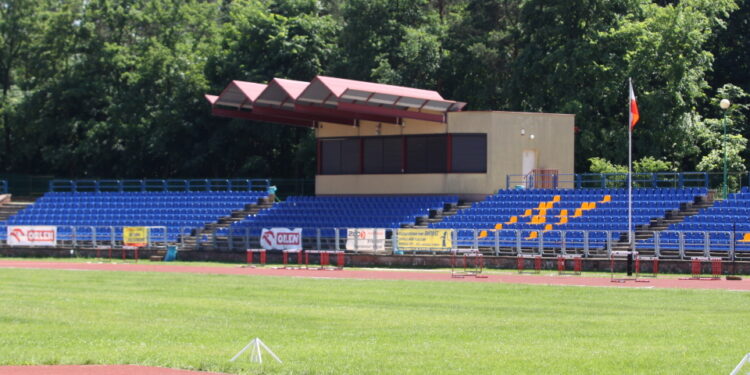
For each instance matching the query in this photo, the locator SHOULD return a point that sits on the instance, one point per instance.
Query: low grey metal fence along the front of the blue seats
(587, 243)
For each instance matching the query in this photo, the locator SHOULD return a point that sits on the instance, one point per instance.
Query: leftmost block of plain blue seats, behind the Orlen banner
(96, 211)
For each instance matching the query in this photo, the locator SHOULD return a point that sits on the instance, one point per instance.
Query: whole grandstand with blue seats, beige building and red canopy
(402, 160)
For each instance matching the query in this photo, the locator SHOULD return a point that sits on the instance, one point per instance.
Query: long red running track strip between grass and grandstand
(741, 285)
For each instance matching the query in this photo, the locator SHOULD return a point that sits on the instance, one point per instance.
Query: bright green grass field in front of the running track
(327, 326)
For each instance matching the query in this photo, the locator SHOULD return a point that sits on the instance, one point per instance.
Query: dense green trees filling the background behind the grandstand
(106, 88)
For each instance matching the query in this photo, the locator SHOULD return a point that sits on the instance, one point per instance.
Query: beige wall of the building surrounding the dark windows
(548, 138)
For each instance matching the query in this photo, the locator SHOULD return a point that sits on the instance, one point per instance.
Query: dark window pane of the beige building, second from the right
(425, 154)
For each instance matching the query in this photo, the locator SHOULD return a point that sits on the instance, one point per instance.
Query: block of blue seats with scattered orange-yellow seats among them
(520, 210)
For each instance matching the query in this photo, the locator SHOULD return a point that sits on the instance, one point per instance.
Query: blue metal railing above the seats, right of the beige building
(612, 180)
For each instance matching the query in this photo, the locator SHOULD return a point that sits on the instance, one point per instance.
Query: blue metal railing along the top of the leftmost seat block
(120, 186)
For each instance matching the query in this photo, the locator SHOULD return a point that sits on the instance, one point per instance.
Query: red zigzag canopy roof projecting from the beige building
(329, 99)
